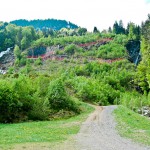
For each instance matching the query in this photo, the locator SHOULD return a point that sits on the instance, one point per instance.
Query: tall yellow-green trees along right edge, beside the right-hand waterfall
(143, 79)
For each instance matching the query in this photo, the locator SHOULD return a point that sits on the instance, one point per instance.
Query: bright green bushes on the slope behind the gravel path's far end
(101, 83)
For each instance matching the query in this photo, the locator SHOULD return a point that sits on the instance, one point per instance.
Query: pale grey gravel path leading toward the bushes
(98, 133)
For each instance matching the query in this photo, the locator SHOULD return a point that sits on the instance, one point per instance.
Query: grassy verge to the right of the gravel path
(132, 125)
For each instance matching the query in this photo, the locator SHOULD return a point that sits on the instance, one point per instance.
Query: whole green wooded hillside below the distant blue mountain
(54, 71)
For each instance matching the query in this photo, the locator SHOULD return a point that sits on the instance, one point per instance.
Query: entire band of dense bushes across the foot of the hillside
(38, 97)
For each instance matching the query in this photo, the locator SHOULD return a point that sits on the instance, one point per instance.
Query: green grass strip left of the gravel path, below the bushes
(41, 132)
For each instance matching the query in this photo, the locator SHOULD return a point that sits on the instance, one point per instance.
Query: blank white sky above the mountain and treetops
(85, 13)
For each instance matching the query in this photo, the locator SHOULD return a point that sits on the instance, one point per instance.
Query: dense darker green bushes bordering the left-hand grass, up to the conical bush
(25, 98)
